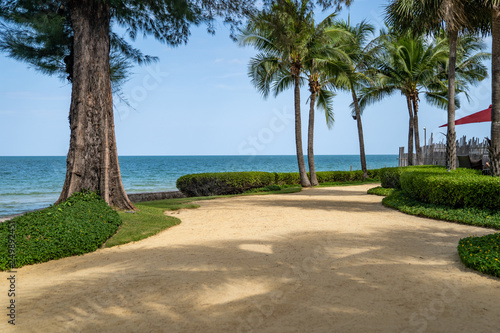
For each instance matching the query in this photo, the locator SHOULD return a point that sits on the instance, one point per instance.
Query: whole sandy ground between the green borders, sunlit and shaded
(323, 260)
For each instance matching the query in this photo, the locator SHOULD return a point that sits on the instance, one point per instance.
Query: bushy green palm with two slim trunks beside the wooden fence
(407, 64)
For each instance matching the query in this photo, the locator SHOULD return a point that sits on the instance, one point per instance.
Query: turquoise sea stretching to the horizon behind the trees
(28, 183)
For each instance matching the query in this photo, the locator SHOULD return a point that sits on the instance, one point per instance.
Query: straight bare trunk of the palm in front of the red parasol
(451, 137)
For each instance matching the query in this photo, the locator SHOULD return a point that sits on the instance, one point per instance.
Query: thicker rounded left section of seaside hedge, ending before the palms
(207, 184)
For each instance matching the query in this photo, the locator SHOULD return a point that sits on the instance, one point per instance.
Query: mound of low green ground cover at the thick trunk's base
(77, 226)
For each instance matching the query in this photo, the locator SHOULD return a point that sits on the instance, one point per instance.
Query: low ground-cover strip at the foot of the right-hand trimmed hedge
(472, 216)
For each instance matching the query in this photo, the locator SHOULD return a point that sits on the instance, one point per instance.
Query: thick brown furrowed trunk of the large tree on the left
(92, 161)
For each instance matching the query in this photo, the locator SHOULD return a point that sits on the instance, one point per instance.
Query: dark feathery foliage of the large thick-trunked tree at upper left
(40, 32)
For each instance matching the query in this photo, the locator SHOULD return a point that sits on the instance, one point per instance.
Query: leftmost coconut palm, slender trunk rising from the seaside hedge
(281, 34)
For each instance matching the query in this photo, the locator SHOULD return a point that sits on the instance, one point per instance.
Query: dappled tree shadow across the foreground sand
(387, 280)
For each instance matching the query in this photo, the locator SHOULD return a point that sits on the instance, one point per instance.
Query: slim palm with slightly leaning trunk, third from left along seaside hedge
(359, 57)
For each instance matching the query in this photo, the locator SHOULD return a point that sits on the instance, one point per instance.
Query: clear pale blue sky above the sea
(198, 100)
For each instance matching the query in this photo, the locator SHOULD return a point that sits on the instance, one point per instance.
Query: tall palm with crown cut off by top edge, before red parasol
(431, 16)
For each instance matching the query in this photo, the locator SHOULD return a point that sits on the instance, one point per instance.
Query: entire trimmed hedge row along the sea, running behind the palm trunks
(207, 184)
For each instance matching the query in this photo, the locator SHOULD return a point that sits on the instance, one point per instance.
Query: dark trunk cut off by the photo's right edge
(495, 111)
